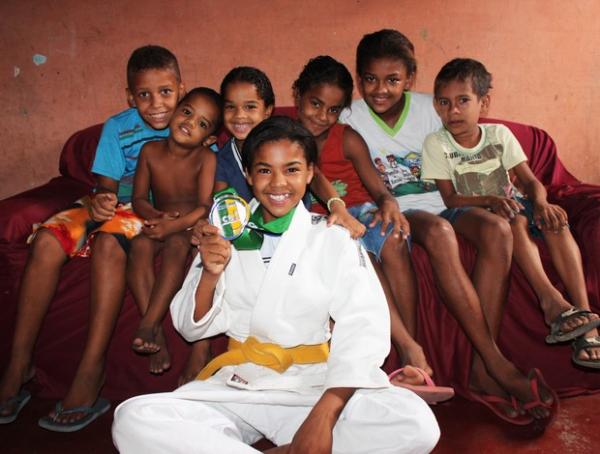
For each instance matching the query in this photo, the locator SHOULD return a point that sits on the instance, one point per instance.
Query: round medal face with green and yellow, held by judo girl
(230, 213)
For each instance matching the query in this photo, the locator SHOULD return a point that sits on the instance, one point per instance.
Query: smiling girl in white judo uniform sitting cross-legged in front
(287, 376)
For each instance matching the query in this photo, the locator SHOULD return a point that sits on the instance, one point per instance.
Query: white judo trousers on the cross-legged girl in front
(391, 420)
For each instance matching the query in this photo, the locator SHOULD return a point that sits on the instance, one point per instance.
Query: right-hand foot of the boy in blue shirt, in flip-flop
(83, 392)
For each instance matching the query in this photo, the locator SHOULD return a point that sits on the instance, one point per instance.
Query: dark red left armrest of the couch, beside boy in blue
(19, 212)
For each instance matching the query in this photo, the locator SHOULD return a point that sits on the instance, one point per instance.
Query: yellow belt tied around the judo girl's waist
(265, 354)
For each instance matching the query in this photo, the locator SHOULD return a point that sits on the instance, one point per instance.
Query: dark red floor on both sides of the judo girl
(467, 428)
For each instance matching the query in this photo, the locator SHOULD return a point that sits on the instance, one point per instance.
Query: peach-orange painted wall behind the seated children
(544, 55)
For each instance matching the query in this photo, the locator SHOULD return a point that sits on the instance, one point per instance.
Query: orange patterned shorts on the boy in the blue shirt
(74, 228)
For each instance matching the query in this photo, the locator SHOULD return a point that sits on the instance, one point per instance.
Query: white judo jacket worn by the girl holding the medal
(316, 272)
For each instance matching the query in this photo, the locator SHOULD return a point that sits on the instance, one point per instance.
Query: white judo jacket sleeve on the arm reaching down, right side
(360, 340)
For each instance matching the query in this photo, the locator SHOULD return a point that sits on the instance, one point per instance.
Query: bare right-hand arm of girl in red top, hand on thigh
(355, 150)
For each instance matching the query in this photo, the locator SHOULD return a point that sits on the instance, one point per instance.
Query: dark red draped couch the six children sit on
(63, 333)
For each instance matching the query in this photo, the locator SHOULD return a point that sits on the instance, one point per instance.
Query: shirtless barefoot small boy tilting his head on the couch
(179, 172)
